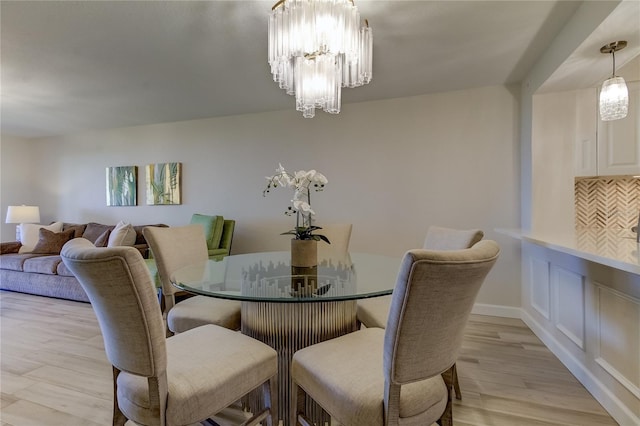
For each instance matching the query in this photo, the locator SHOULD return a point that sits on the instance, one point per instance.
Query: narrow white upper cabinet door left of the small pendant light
(586, 163)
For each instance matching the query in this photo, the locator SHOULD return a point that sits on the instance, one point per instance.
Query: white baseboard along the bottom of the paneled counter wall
(620, 412)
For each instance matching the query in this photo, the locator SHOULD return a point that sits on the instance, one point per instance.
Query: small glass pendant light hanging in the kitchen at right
(614, 96)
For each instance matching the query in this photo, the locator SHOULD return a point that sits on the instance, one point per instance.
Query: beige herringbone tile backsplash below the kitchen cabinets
(612, 203)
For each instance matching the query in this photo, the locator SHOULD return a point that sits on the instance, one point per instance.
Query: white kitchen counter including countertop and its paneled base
(581, 297)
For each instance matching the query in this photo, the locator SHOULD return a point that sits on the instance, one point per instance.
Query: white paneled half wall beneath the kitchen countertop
(589, 316)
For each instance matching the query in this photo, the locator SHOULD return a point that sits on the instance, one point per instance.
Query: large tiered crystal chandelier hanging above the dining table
(317, 47)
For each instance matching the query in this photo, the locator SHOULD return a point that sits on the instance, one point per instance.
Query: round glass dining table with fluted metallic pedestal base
(288, 307)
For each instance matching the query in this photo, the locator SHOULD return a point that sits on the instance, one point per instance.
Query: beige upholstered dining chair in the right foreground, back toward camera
(394, 376)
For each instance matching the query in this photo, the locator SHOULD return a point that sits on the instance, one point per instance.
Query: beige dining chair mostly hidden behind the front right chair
(375, 312)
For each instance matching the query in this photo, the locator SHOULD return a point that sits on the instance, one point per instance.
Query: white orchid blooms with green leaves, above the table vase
(303, 182)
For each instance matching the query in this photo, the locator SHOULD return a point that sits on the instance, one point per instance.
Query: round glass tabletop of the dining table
(269, 277)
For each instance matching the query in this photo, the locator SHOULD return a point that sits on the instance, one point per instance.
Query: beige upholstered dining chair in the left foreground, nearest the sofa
(179, 380)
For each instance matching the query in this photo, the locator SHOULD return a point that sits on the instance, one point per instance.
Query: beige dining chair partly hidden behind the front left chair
(177, 247)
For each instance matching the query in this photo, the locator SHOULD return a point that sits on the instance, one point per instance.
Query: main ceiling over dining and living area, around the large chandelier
(68, 66)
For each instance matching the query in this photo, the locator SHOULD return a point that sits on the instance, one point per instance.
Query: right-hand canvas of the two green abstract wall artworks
(163, 183)
